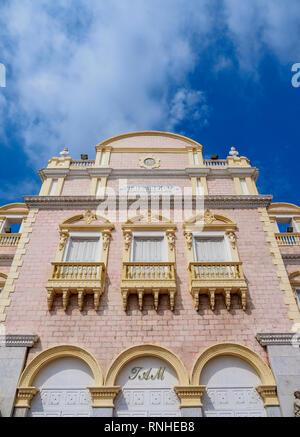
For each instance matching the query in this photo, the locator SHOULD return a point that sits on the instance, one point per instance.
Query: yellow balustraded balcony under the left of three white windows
(78, 278)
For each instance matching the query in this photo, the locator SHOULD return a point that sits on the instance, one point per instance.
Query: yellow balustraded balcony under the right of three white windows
(211, 278)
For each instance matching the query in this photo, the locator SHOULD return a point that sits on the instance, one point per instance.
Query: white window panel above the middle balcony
(148, 249)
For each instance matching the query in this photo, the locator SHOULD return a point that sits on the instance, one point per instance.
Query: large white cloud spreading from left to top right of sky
(83, 71)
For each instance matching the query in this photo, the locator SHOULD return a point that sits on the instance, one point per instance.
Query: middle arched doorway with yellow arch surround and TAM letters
(147, 375)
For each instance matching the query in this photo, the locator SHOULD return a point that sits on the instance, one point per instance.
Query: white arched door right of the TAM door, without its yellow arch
(230, 389)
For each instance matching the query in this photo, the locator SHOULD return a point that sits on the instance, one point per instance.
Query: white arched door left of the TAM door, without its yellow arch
(63, 389)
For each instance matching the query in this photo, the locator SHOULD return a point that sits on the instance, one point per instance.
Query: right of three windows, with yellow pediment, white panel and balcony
(212, 270)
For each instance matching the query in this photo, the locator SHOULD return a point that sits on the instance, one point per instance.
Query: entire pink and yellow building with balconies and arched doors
(149, 282)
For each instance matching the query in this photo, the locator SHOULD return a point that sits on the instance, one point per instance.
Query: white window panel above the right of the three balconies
(210, 249)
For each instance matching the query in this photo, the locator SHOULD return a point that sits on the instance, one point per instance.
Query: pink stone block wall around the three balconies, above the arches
(110, 330)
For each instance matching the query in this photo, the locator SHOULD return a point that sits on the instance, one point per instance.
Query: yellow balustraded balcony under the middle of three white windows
(154, 278)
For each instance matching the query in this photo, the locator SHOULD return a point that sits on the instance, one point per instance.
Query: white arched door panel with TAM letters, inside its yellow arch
(147, 390)
